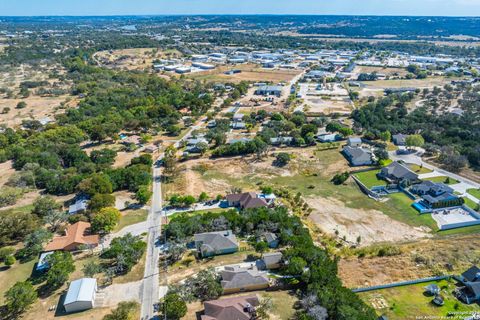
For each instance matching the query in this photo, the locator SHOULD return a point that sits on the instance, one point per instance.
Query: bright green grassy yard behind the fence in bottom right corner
(410, 302)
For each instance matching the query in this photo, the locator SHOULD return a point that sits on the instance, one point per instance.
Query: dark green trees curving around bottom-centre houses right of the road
(313, 266)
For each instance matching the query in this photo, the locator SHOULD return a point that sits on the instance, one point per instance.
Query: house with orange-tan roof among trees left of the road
(75, 236)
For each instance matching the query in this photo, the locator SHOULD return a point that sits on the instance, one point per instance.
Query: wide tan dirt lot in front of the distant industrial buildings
(250, 72)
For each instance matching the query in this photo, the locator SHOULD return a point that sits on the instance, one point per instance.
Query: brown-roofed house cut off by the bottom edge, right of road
(237, 308)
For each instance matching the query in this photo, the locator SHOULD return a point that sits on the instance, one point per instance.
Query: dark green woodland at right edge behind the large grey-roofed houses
(454, 138)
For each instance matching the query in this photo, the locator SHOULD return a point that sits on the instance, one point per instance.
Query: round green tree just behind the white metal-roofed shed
(61, 265)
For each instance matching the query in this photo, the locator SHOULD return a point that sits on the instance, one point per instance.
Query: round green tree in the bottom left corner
(20, 297)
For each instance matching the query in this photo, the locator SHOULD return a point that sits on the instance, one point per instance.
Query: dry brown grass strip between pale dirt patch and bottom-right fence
(421, 259)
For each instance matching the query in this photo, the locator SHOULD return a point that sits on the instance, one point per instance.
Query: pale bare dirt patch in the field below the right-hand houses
(371, 225)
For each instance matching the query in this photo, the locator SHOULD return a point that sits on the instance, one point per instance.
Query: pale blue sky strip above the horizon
(159, 7)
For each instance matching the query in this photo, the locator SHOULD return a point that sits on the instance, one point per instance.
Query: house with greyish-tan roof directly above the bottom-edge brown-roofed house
(238, 279)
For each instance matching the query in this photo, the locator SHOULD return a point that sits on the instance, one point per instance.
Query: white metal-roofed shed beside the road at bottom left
(80, 295)
